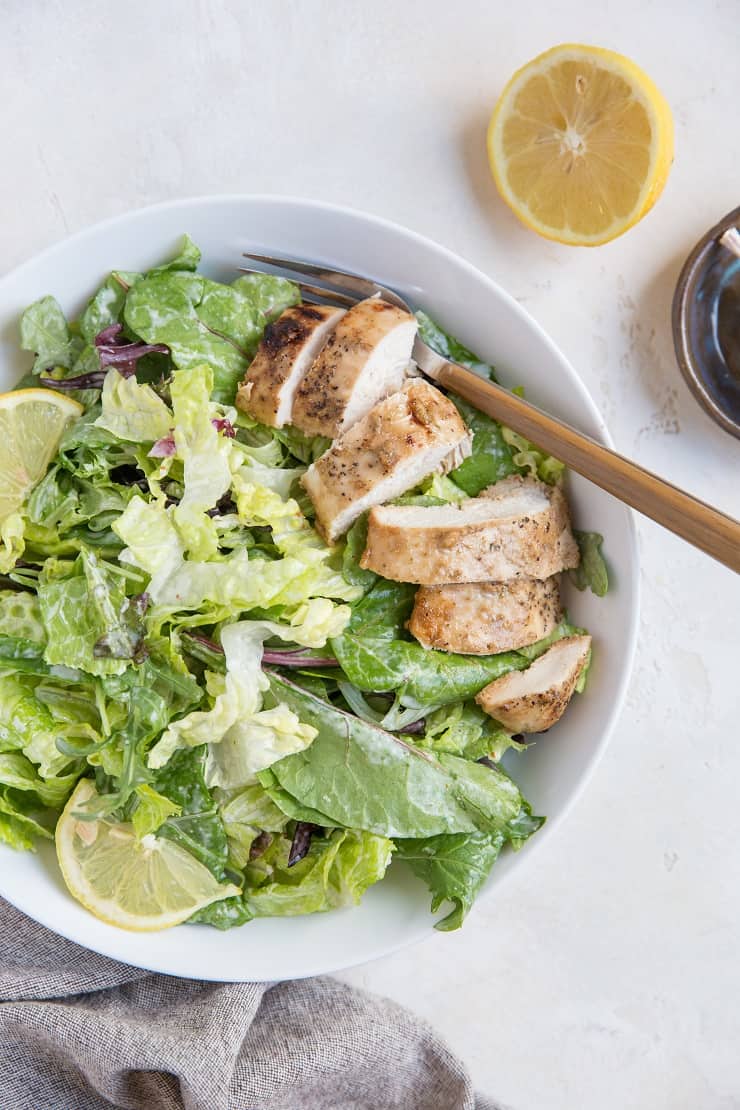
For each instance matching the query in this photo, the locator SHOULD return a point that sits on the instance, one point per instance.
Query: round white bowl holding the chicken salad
(485, 318)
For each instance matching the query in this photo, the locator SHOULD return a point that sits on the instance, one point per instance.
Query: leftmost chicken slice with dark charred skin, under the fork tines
(288, 350)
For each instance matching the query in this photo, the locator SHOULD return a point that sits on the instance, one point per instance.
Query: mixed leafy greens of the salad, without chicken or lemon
(174, 628)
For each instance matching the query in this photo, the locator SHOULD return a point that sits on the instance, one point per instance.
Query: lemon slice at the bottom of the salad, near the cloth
(139, 885)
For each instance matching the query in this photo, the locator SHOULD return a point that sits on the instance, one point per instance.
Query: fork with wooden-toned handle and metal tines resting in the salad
(693, 520)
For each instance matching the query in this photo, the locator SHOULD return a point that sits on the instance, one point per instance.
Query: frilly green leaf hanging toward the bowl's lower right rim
(454, 867)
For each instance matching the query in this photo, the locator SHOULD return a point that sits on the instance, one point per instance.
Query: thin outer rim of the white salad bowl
(632, 568)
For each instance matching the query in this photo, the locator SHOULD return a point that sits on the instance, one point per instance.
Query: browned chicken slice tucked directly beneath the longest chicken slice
(485, 618)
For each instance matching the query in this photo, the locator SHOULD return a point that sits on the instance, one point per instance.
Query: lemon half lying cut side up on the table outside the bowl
(581, 144)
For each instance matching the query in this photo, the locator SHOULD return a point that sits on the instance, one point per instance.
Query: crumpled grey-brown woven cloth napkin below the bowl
(80, 1032)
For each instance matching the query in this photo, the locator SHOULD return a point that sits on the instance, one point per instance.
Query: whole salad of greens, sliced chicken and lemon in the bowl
(273, 608)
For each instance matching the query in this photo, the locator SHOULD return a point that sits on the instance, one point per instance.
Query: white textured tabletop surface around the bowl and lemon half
(607, 975)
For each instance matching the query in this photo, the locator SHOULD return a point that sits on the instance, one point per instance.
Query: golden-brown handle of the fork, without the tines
(702, 526)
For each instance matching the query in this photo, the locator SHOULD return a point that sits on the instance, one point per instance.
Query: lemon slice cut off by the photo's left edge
(32, 426)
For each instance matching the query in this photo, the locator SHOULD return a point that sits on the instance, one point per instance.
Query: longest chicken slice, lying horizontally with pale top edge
(519, 529)
